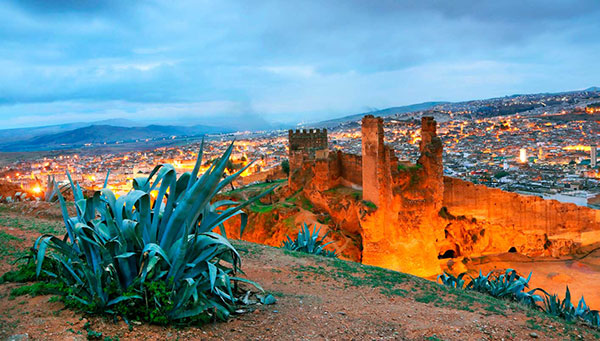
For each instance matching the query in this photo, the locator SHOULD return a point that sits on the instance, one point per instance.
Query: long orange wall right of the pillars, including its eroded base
(531, 224)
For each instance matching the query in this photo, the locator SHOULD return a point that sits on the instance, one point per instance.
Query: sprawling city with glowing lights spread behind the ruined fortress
(544, 145)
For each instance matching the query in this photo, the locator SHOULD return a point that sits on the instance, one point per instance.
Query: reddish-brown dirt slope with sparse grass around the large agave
(318, 299)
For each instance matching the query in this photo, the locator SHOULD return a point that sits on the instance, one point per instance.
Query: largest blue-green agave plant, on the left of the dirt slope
(117, 249)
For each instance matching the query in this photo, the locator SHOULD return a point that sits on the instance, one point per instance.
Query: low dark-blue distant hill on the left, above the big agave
(100, 134)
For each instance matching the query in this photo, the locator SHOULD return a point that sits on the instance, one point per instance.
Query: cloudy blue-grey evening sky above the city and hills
(251, 63)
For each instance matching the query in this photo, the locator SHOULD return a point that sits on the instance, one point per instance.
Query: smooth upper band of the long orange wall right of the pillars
(524, 213)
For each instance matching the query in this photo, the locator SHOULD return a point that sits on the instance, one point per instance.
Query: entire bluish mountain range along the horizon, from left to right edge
(79, 134)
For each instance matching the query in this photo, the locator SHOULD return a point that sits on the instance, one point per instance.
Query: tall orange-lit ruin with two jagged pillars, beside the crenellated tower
(402, 233)
